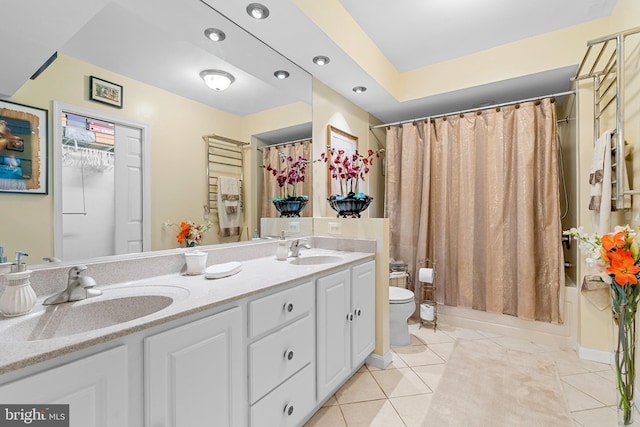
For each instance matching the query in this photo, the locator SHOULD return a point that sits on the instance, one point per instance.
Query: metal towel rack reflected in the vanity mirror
(225, 156)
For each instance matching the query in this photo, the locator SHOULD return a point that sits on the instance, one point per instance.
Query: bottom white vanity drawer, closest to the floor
(287, 405)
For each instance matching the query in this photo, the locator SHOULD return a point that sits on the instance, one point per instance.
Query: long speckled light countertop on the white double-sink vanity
(191, 294)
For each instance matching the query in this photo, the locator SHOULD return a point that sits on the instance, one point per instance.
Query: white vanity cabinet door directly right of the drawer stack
(334, 323)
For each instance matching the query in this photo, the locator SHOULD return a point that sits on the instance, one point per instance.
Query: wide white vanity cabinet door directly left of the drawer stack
(194, 374)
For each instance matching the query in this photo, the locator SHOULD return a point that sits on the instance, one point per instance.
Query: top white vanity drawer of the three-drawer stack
(277, 309)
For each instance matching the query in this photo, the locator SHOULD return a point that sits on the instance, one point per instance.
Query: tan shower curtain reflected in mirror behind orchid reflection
(270, 187)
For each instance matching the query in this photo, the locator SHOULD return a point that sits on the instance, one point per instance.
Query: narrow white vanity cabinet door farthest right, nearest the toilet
(363, 304)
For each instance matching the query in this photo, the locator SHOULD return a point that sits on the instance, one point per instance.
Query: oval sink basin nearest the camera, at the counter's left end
(113, 307)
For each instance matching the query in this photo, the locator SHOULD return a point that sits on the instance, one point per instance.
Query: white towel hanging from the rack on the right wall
(600, 181)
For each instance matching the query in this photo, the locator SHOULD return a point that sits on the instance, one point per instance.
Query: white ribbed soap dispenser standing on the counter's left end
(18, 297)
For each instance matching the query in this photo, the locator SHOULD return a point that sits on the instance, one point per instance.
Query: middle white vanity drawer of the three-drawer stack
(276, 357)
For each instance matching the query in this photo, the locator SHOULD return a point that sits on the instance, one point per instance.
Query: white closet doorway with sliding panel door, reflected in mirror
(131, 192)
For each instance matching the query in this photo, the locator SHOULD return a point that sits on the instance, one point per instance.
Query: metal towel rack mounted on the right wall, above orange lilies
(606, 57)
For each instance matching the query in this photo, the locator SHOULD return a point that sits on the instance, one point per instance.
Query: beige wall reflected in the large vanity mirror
(176, 124)
